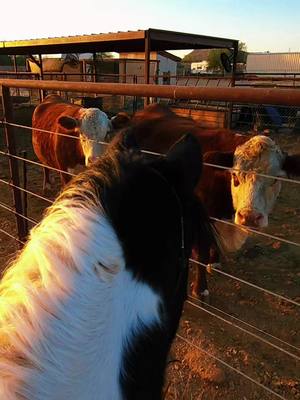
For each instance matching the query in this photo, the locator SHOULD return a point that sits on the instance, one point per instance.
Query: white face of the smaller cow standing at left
(94, 126)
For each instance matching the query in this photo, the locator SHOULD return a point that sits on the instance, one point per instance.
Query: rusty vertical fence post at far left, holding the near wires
(13, 163)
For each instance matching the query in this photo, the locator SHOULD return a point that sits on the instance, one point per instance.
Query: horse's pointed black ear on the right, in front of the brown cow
(185, 157)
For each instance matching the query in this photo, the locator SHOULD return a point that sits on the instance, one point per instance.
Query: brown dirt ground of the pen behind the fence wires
(192, 374)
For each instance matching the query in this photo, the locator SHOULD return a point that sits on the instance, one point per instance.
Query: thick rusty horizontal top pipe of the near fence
(276, 96)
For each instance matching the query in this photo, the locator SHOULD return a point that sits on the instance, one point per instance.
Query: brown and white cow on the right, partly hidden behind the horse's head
(246, 199)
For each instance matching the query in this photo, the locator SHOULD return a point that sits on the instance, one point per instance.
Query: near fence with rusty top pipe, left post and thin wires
(247, 95)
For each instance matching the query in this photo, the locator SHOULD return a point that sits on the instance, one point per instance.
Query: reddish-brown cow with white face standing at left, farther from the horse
(88, 126)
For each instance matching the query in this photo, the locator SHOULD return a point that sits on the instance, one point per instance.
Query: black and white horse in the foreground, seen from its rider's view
(91, 305)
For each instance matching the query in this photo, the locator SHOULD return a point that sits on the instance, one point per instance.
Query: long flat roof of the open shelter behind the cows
(130, 41)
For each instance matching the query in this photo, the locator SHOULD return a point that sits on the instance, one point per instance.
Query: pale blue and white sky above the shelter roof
(264, 25)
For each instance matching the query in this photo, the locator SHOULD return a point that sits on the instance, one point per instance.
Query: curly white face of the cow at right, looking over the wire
(254, 196)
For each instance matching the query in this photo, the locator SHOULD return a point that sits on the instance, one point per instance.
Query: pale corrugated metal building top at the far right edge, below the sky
(273, 62)
